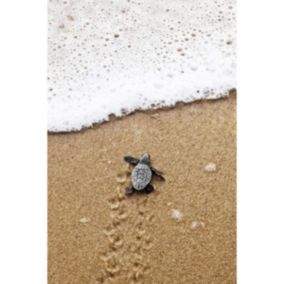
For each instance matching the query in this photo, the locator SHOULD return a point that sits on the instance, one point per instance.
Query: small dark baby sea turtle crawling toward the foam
(141, 175)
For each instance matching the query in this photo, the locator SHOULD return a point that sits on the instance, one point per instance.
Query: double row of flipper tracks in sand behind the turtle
(127, 261)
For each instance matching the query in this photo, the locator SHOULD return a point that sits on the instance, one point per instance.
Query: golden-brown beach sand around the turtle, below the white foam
(183, 232)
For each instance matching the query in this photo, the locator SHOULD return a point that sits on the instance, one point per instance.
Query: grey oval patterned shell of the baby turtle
(141, 176)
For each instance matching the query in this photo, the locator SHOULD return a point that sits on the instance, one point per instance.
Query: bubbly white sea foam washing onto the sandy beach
(113, 57)
